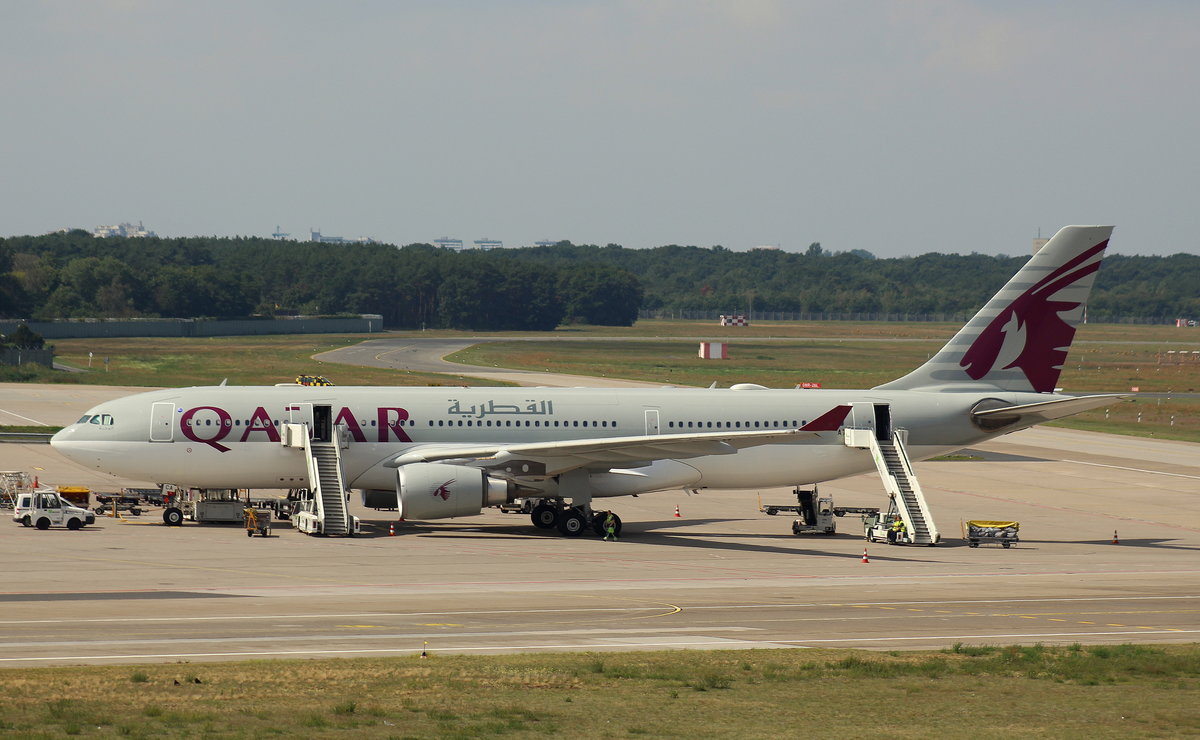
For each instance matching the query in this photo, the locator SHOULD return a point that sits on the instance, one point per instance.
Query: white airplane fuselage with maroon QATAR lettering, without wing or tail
(229, 437)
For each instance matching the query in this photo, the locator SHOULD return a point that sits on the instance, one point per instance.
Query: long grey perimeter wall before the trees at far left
(195, 328)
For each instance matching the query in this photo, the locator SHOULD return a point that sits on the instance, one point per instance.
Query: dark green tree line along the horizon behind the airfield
(73, 274)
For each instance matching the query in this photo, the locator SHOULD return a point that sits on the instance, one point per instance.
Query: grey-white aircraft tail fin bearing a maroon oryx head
(1019, 340)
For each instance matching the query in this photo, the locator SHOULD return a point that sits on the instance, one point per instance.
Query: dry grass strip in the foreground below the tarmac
(1123, 691)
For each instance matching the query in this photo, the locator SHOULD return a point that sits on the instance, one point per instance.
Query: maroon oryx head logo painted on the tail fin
(1029, 333)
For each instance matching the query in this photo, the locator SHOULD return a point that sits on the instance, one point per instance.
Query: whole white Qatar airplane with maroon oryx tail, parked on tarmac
(441, 453)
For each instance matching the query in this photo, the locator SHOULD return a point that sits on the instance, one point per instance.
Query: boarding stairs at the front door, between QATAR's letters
(326, 513)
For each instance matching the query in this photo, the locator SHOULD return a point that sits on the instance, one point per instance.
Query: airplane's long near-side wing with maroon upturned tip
(560, 456)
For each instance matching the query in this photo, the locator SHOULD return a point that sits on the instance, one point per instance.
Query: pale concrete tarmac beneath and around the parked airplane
(1108, 554)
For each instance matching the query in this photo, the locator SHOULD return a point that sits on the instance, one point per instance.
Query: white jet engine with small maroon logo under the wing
(436, 491)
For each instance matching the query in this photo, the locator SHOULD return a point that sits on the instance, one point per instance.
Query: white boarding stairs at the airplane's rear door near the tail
(899, 483)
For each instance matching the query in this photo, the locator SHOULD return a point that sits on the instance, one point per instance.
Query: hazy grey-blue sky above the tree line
(898, 128)
